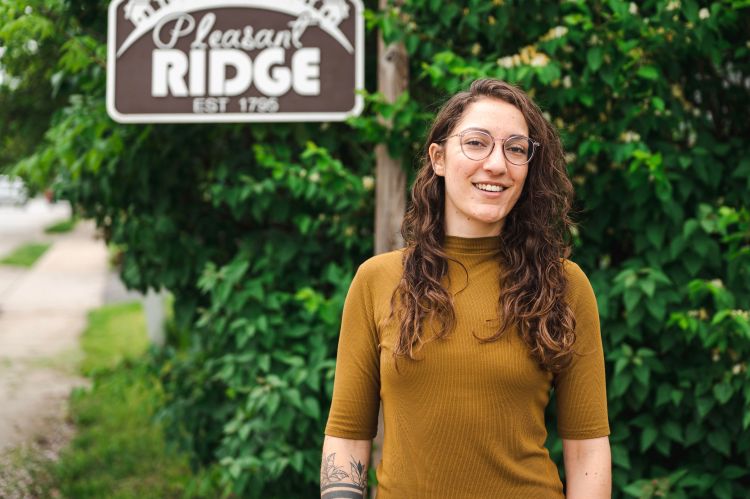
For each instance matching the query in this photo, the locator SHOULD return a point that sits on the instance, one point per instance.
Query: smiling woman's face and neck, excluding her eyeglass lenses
(473, 205)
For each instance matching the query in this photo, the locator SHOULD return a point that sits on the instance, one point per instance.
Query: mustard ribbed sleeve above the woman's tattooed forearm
(356, 387)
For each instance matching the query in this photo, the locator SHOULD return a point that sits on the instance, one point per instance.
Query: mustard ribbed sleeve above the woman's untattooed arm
(581, 390)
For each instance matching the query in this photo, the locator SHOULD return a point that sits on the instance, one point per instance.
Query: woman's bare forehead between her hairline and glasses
(498, 117)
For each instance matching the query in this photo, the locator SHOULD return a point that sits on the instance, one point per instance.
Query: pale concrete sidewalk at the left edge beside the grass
(42, 314)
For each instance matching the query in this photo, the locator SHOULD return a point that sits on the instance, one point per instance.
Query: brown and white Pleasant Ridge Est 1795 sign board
(199, 61)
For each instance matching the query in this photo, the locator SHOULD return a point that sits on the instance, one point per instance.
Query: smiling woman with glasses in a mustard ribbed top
(463, 333)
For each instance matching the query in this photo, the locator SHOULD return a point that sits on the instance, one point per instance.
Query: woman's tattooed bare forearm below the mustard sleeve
(343, 471)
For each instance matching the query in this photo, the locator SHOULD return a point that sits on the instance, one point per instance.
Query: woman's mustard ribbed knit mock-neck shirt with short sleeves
(466, 419)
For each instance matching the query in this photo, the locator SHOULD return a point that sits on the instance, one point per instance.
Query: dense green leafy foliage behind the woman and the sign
(257, 229)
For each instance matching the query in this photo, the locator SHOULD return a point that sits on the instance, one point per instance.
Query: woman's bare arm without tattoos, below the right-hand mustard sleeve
(588, 468)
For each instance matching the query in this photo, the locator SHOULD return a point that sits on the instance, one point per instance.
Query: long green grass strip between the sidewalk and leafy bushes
(119, 450)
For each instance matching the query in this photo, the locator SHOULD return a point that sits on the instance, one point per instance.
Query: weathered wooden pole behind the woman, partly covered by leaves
(390, 179)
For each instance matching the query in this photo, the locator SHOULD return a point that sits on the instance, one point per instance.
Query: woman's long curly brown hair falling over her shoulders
(534, 241)
